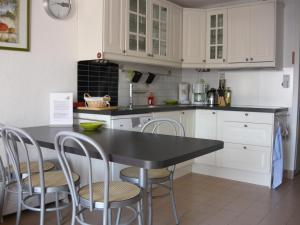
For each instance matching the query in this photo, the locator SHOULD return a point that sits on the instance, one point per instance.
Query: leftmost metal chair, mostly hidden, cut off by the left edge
(7, 175)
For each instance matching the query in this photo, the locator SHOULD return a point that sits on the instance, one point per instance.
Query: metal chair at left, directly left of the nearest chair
(34, 184)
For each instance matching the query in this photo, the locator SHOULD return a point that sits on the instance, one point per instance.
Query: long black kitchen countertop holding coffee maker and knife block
(165, 108)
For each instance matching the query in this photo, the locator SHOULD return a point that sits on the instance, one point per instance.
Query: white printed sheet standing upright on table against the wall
(61, 109)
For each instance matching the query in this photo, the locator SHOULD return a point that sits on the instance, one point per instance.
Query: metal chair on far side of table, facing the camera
(157, 176)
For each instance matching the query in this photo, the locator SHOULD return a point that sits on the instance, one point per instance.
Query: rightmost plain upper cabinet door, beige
(263, 32)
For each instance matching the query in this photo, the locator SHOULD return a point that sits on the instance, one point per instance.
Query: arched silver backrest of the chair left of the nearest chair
(16, 142)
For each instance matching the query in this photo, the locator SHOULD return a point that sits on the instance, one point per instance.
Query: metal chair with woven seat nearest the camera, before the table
(104, 195)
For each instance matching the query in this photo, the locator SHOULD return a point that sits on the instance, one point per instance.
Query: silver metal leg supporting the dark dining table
(146, 207)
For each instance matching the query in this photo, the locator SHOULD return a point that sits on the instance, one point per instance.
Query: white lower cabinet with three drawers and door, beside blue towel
(248, 144)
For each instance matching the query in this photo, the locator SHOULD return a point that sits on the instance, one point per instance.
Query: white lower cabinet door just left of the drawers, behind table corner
(206, 127)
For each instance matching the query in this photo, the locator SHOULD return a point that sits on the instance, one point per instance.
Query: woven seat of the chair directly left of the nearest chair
(52, 179)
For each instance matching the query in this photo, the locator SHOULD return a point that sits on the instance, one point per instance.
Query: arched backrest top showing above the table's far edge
(176, 127)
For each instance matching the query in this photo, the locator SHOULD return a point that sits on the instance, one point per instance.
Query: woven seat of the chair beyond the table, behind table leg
(133, 172)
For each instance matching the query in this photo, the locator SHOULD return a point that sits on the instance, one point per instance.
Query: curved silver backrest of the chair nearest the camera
(84, 143)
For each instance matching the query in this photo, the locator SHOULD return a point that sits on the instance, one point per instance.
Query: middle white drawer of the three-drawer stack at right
(247, 133)
